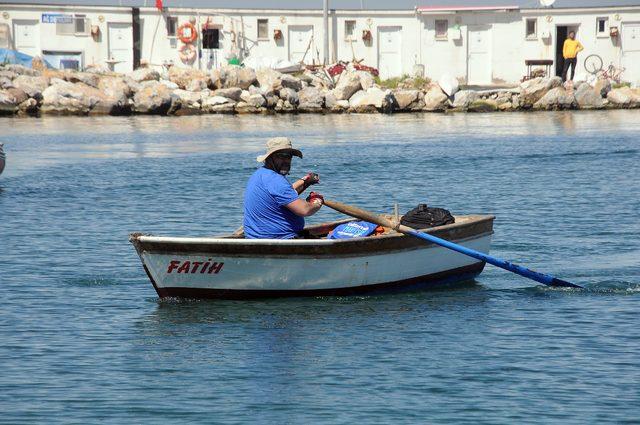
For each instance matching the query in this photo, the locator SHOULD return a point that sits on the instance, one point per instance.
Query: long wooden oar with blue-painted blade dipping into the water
(522, 271)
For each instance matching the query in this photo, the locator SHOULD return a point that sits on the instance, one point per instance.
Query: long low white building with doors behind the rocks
(478, 44)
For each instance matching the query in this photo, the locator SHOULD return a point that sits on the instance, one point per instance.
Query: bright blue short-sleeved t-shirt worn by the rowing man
(265, 213)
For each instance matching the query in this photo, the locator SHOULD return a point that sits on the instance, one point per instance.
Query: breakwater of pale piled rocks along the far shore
(238, 90)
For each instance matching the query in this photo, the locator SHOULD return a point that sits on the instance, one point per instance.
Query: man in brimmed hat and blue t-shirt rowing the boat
(272, 209)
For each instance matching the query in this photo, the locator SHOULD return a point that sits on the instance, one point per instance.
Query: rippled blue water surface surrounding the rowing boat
(85, 339)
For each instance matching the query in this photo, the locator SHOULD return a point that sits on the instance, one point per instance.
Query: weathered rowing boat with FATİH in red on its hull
(231, 267)
